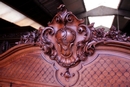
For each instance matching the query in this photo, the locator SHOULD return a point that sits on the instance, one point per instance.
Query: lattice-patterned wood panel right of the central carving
(106, 70)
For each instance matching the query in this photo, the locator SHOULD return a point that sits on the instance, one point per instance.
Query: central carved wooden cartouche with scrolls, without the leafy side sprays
(64, 38)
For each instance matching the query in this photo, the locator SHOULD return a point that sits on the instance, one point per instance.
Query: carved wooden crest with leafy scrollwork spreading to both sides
(68, 41)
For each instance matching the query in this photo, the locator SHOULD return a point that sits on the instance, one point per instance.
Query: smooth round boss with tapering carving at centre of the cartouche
(65, 38)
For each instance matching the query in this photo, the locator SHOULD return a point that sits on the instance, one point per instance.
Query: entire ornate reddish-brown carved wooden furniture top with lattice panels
(68, 53)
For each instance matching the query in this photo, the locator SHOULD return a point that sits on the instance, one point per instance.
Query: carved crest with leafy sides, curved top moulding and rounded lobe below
(68, 42)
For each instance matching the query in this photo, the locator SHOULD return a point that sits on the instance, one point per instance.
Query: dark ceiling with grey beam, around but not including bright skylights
(42, 11)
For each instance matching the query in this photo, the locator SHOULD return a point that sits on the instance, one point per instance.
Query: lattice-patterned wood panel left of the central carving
(27, 67)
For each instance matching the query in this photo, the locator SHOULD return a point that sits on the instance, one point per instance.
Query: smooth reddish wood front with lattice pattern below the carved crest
(29, 67)
